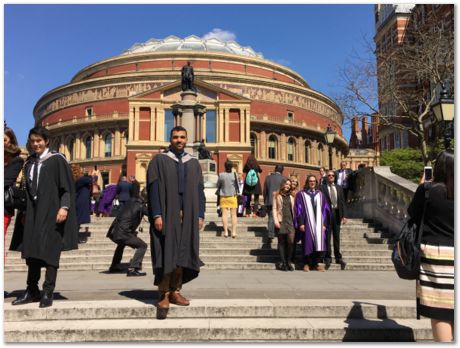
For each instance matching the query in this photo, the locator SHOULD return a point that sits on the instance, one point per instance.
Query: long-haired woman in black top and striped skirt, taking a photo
(435, 286)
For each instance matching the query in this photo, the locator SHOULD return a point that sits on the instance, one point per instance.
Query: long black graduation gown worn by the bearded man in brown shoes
(177, 245)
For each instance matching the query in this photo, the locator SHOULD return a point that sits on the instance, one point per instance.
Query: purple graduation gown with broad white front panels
(314, 237)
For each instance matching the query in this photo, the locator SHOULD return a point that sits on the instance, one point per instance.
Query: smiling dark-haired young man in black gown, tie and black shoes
(50, 218)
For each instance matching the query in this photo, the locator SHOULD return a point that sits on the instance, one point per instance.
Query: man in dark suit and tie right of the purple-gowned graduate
(336, 200)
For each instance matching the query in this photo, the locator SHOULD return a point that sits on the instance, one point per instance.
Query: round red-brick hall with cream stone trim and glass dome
(117, 112)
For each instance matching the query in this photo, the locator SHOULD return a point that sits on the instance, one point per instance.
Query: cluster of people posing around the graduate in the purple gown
(312, 215)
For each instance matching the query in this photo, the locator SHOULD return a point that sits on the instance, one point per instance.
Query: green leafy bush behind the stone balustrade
(407, 163)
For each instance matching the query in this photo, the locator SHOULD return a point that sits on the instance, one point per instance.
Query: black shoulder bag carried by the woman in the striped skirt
(406, 250)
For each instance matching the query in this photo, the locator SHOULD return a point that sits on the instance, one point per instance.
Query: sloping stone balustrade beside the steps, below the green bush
(382, 196)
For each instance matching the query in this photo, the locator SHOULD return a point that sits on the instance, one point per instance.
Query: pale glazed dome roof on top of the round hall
(192, 43)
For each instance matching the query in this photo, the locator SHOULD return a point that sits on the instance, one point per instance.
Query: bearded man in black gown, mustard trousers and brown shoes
(176, 212)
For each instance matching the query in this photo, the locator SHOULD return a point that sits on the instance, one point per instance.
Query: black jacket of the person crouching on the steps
(128, 219)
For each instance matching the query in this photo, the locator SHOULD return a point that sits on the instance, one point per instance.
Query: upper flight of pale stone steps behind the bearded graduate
(364, 247)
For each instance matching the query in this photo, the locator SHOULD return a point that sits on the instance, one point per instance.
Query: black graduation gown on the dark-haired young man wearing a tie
(42, 238)
